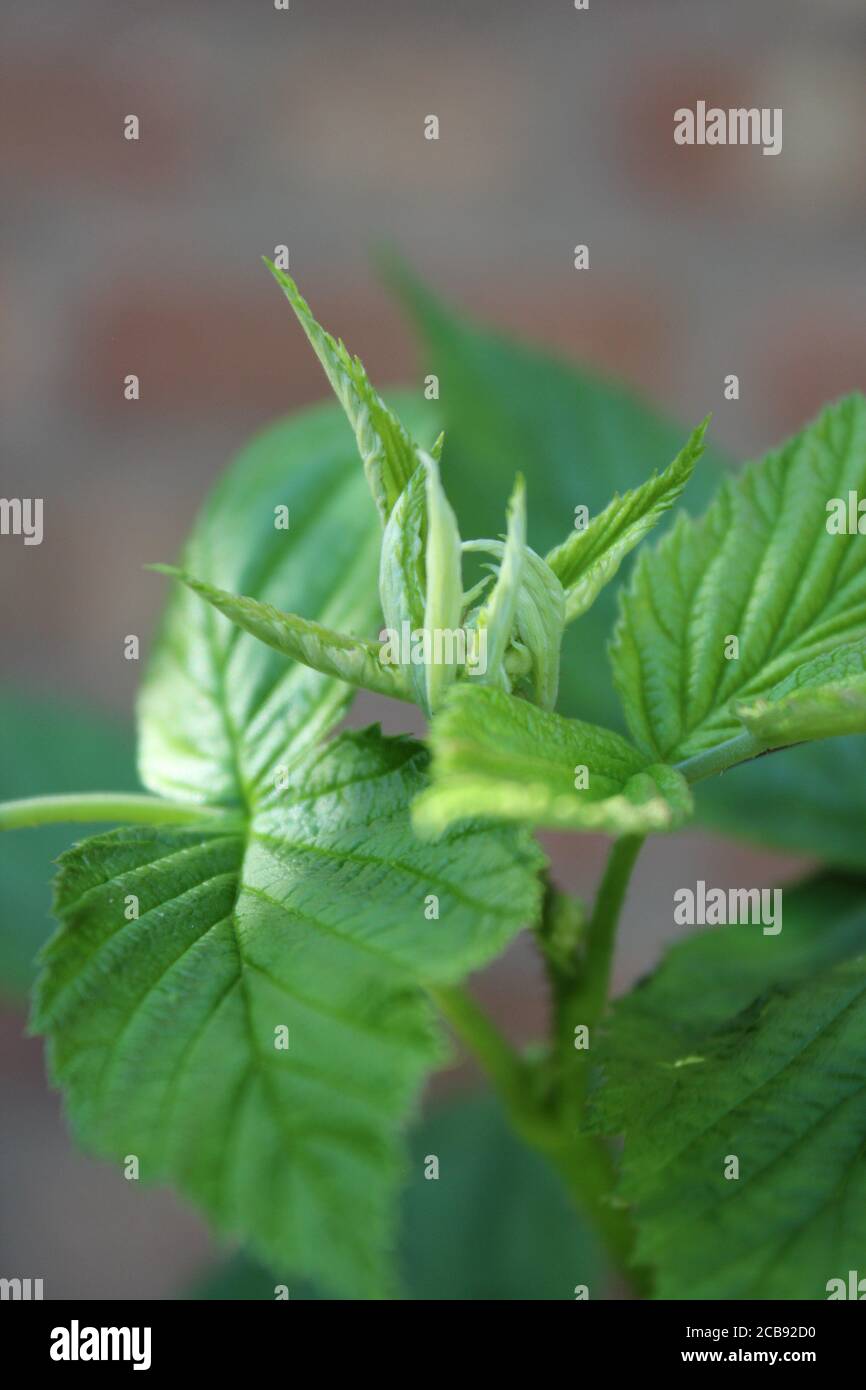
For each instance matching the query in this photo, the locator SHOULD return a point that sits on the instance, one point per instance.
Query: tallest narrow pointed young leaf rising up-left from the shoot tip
(387, 450)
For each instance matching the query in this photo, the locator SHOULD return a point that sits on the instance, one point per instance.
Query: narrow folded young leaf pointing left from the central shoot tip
(332, 654)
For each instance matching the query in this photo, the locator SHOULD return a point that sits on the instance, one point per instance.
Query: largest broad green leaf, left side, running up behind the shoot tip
(307, 908)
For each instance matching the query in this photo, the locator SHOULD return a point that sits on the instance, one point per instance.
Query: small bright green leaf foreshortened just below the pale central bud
(500, 757)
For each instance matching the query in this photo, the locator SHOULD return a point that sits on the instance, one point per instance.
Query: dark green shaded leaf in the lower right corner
(750, 1046)
